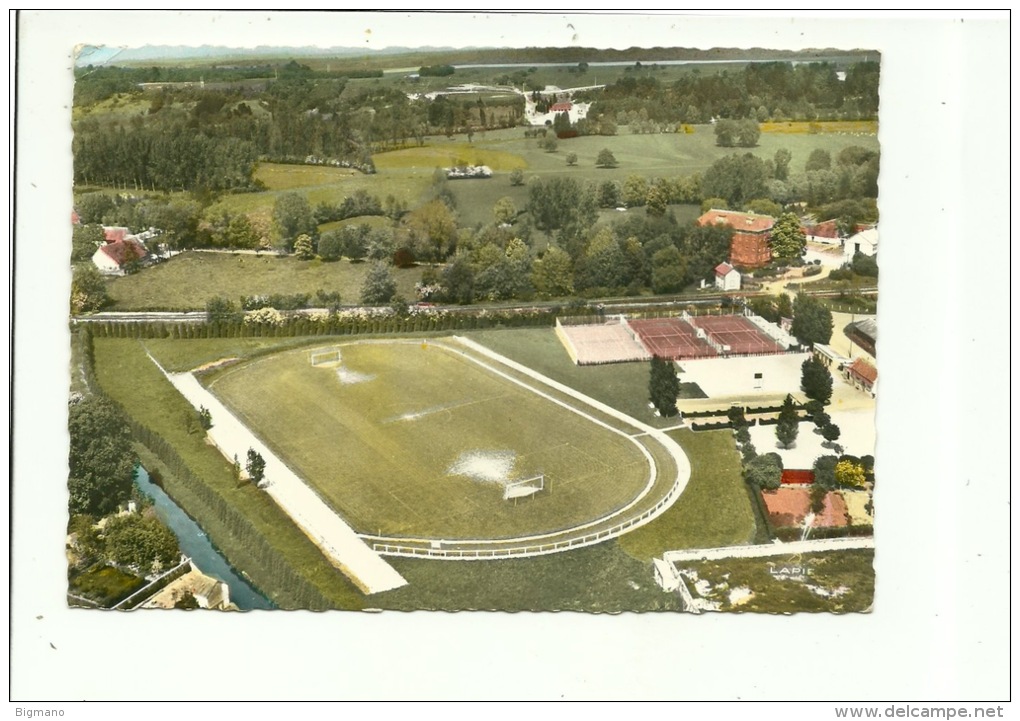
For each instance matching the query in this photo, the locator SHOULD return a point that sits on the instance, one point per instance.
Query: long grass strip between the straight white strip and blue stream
(151, 400)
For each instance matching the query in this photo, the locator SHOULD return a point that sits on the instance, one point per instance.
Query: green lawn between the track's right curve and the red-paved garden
(715, 510)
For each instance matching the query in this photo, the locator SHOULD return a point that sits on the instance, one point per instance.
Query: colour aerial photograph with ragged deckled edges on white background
(492, 329)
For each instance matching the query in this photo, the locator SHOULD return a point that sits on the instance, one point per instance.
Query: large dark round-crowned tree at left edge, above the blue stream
(103, 460)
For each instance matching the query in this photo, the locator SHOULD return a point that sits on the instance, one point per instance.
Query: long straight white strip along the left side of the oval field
(337, 540)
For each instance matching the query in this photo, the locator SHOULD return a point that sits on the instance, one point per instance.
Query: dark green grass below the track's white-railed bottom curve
(600, 580)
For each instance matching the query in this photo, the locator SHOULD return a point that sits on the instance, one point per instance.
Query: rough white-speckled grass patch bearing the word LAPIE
(837, 583)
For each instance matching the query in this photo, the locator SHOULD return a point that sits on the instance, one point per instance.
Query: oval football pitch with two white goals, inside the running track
(409, 439)
